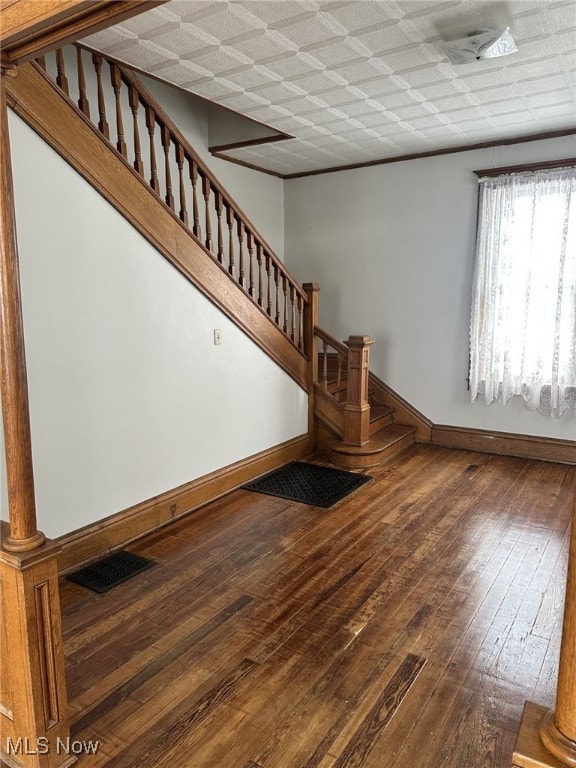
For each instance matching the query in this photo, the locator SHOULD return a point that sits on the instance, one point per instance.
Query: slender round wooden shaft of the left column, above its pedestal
(24, 534)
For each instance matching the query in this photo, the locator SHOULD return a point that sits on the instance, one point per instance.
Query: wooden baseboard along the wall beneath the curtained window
(505, 443)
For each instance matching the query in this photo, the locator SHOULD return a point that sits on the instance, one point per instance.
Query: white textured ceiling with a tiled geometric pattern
(362, 80)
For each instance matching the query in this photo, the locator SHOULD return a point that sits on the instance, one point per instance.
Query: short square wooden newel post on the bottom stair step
(357, 407)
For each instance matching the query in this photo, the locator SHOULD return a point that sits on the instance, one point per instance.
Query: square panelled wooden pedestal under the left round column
(33, 697)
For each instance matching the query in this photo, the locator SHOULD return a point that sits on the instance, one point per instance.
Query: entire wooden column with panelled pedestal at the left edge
(33, 700)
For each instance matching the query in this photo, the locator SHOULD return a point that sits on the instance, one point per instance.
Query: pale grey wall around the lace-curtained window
(392, 247)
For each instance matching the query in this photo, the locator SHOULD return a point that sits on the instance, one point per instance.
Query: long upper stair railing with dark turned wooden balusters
(166, 162)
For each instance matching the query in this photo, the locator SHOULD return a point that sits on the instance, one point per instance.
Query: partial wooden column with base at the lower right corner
(547, 739)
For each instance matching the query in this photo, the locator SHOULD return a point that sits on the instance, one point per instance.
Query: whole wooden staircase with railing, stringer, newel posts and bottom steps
(156, 179)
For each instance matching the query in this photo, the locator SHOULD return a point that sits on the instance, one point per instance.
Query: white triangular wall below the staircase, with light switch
(129, 397)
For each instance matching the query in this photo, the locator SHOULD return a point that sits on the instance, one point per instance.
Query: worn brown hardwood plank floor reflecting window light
(402, 628)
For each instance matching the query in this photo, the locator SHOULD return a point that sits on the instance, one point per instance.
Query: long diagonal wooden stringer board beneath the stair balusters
(39, 102)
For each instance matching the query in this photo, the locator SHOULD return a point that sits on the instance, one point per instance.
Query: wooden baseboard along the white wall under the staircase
(97, 539)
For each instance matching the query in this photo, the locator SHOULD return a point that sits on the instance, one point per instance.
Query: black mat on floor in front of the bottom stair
(308, 483)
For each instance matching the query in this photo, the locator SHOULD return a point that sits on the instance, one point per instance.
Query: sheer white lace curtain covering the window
(523, 325)
